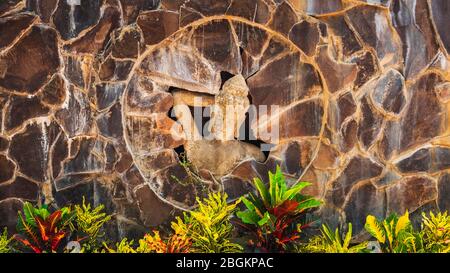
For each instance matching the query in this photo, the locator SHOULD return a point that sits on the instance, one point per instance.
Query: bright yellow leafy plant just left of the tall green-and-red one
(209, 225)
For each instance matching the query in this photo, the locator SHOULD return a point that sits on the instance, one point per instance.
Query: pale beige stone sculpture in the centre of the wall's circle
(220, 154)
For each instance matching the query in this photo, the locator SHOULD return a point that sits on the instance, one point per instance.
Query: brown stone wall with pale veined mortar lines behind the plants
(86, 88)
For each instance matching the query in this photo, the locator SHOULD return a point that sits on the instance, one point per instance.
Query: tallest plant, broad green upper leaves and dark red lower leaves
(275, 213)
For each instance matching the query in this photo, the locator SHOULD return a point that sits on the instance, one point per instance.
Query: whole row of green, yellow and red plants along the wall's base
(273, 219)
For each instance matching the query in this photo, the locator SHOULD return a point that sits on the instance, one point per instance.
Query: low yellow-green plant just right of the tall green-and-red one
(333, 242)
